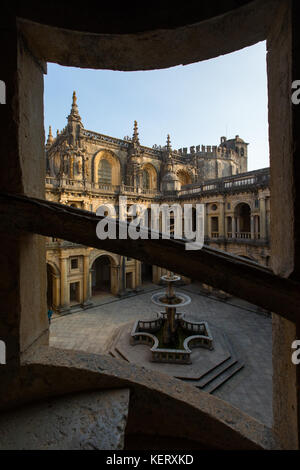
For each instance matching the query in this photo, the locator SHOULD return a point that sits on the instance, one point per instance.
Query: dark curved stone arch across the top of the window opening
(152, 49)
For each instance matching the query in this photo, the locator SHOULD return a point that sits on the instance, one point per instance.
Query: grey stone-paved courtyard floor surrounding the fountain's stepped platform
(250, 333)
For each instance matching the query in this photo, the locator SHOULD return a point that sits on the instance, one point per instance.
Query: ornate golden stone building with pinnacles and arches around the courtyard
(86, 169)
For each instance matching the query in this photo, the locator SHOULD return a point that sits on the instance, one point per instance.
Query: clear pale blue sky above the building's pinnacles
(196, 104)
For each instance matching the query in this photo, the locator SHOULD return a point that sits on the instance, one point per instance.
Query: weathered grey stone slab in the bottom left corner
(94, 420)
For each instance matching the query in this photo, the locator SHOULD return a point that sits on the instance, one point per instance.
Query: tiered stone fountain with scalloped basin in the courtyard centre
(171, 336)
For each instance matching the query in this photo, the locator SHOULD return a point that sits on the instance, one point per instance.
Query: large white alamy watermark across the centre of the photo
(175, 221)
